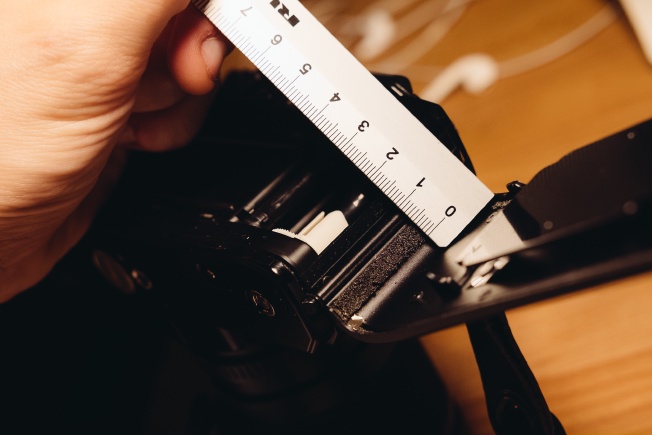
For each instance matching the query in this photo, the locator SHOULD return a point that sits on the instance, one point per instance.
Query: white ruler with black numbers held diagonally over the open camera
(362, 118)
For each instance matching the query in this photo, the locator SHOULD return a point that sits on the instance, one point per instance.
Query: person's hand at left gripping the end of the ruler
(80, 82)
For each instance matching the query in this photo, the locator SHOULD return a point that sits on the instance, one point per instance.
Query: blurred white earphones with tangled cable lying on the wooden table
(378, 31)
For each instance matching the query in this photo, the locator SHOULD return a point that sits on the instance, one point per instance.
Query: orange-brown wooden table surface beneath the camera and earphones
(592, 350)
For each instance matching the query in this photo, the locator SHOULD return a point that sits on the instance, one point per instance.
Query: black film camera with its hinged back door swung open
(219, 220)
